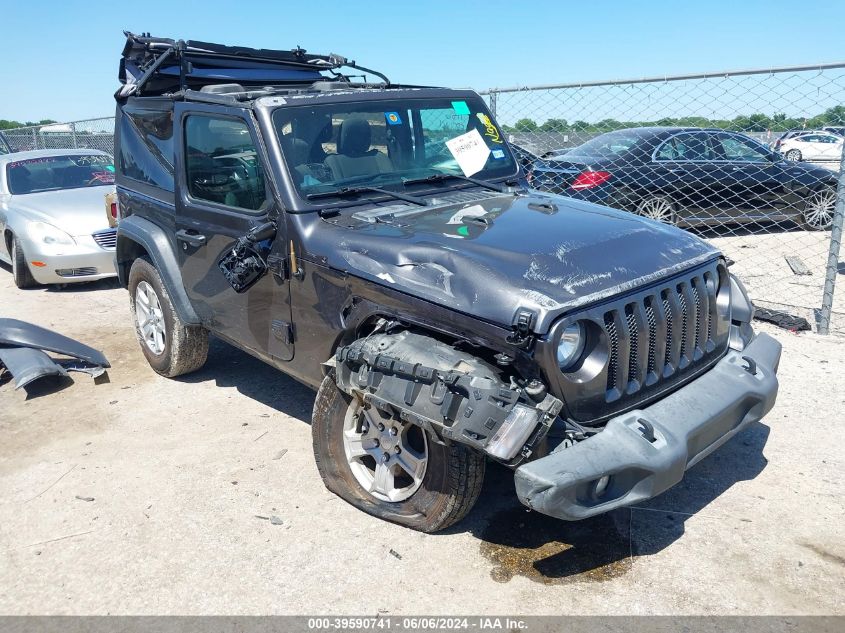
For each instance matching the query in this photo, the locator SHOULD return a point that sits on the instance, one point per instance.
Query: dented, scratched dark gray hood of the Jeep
(491, 256)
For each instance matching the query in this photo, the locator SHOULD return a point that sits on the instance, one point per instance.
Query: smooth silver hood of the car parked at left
(75, 211)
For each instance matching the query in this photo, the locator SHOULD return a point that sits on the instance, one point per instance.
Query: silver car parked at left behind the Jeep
(52, 216)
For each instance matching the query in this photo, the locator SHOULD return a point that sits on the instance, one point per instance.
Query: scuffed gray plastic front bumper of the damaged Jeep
(646, 451)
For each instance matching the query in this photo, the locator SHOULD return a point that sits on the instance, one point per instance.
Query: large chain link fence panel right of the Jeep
(749, 160)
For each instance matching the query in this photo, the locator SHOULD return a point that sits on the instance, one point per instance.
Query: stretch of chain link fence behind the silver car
(88, 134)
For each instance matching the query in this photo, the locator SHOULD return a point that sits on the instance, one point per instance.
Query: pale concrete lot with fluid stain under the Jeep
(180, 470)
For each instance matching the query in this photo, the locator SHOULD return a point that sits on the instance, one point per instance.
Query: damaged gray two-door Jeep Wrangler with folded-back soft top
(378, 243)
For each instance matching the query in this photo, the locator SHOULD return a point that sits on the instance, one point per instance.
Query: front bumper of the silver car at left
(83, 261)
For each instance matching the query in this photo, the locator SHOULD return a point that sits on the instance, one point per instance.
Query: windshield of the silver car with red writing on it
(50, 173)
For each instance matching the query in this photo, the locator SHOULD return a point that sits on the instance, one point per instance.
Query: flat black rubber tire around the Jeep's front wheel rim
(450, 485)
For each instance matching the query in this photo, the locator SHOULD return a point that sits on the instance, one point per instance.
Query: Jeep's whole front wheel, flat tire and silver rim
(435, 488)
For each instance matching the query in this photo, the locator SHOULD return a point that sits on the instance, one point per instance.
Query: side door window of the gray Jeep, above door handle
(221, 163)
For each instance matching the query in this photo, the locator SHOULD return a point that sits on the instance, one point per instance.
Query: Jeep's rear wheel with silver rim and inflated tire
(171, 346)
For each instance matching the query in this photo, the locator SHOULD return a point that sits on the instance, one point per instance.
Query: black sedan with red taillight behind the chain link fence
(690, 176)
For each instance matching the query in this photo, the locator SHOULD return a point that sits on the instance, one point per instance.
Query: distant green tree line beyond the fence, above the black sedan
(742, 123)
